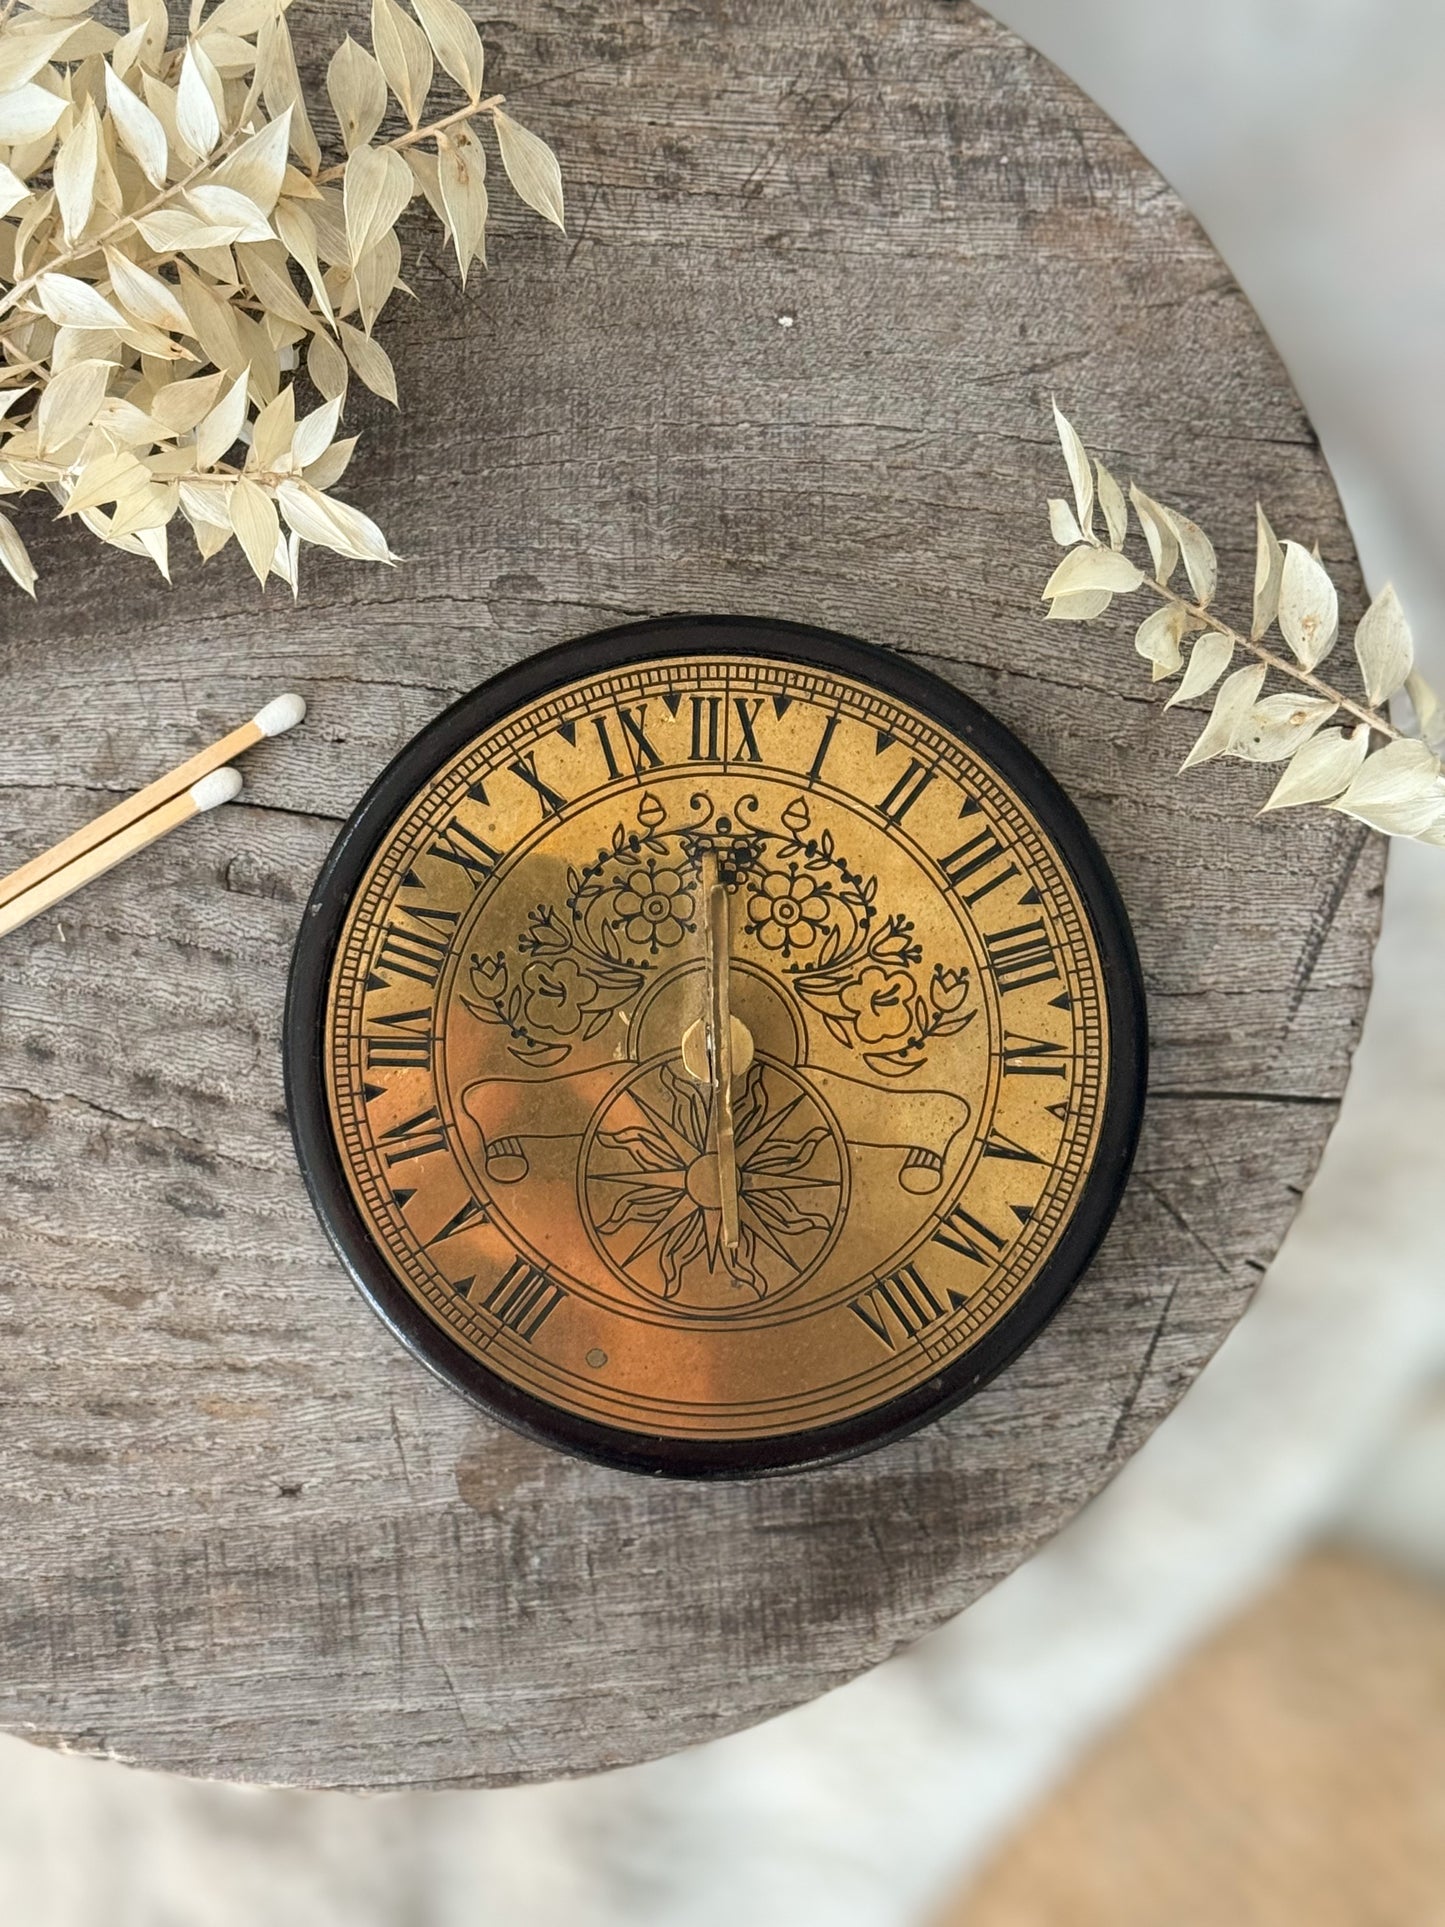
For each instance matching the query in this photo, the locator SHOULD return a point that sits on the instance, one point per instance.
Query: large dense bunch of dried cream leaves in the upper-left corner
(174, 248)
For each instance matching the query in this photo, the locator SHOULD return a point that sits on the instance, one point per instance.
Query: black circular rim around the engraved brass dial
(438, 745)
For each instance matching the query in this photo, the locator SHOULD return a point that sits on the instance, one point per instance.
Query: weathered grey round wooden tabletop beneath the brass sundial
(795, 357)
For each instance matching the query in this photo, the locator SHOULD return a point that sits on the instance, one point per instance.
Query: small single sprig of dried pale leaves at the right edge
(1369, 768)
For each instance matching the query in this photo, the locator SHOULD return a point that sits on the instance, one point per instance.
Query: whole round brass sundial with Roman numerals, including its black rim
(716, 1047)
